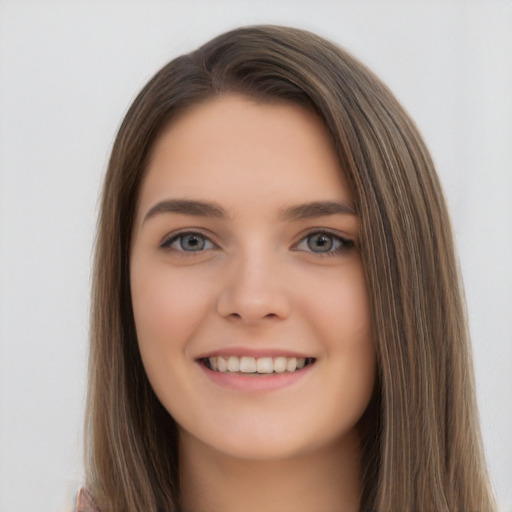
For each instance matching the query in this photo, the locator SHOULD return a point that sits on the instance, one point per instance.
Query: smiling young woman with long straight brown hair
(277, 318)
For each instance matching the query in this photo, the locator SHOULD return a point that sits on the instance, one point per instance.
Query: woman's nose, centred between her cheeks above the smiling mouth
(254, 291)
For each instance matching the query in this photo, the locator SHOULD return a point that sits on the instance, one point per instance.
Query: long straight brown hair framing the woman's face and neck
(422, 449)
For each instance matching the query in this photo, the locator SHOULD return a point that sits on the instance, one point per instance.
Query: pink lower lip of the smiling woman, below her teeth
(249, 382)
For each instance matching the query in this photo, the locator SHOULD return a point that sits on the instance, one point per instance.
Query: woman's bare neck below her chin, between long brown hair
(327, 479)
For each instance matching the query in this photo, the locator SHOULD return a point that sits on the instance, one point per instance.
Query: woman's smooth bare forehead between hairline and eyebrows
(232, 147)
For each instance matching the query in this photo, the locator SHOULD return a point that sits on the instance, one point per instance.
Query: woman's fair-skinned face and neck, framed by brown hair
(245, 252)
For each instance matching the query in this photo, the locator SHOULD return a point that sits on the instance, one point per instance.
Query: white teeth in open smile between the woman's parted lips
(256, 365)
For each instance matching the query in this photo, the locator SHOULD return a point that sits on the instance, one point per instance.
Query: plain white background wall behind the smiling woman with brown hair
(68, 71)
